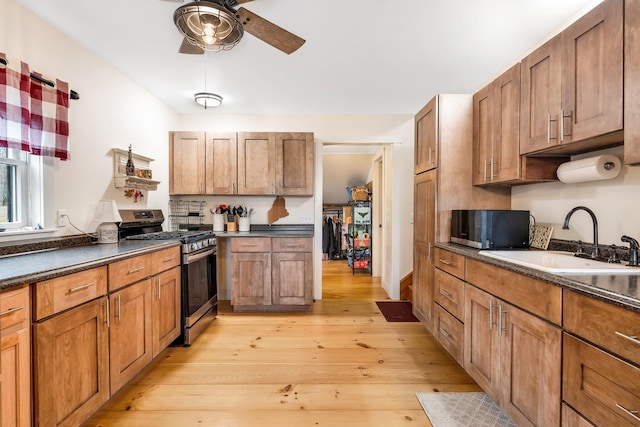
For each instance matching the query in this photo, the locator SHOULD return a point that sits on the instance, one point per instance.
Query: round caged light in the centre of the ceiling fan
(208, 25)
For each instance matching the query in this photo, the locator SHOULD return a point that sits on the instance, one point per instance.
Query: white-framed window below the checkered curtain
(20, 189)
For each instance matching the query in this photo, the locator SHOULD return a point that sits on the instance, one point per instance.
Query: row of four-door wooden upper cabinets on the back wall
(243, 163)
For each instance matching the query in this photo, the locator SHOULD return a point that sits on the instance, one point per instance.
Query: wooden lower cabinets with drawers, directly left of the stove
(88, 344)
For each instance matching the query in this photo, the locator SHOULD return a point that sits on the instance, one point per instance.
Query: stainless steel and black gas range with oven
(199, 296)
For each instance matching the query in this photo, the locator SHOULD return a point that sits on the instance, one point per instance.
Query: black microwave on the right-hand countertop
(490, 229)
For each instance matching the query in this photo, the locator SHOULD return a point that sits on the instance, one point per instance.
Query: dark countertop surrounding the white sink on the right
(619, 289)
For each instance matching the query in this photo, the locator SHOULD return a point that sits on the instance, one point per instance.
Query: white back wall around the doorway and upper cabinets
(394, 130)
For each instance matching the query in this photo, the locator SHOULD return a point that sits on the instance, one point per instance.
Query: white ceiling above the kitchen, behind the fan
(360, 56)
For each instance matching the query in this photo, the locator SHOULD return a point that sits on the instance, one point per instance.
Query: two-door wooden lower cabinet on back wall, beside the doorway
(271, 274)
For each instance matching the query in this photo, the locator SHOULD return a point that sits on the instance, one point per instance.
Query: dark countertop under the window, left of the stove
(32, 267)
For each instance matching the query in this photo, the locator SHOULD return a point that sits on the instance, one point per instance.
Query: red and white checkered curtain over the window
(34, 117)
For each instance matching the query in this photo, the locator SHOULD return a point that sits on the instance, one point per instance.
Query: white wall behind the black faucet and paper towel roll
(616, 203)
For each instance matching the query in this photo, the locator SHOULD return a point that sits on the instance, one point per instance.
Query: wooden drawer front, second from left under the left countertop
(56, 295)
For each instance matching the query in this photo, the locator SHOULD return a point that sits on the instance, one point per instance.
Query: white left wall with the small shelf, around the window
(112, 112)
